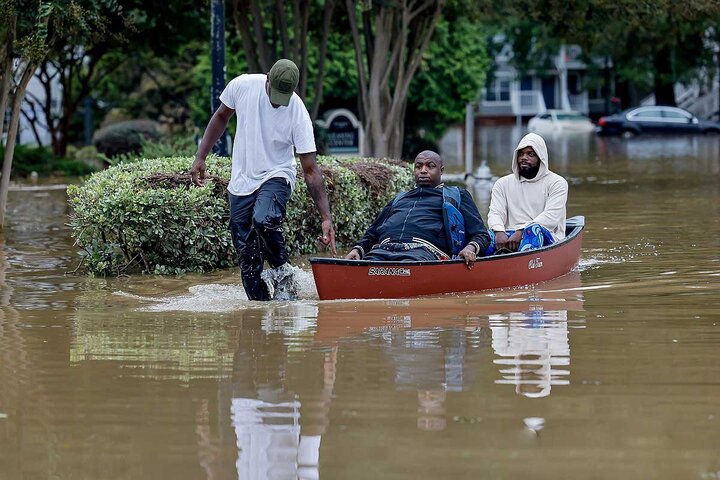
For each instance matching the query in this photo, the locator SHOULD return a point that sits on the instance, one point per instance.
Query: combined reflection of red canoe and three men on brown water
(284, 370)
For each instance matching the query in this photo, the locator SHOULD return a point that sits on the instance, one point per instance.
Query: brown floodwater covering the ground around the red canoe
(612, 371)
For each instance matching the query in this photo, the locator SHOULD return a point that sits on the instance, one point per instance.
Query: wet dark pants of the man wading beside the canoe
(256, 227)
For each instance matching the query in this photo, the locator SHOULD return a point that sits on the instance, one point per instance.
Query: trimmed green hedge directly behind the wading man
(145, 216)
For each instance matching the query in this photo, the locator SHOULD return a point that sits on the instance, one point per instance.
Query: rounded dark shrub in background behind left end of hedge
(125, 137)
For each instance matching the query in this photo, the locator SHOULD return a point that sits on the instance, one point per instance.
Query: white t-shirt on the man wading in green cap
(265, 136)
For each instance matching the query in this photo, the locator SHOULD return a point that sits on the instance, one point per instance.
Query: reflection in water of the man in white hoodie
(531, 346)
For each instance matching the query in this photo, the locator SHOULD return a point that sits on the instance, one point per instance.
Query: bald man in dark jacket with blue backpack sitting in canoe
(413, 226)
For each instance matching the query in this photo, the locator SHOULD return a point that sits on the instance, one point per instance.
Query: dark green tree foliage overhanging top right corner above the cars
(652, 44)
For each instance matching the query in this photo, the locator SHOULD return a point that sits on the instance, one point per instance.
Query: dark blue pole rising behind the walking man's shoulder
(217, 50)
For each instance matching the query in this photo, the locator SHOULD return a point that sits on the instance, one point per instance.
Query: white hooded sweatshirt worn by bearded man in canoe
(517, 202)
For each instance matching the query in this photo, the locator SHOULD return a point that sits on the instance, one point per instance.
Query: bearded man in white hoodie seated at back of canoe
(527, 207)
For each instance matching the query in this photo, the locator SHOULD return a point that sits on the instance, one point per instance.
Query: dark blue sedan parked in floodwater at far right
(655, 119)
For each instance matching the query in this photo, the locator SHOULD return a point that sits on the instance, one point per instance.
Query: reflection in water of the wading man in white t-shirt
(279, 415)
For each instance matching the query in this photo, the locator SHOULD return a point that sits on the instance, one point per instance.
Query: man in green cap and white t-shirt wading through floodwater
(271, 120)
